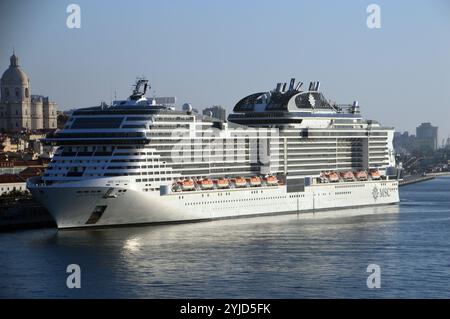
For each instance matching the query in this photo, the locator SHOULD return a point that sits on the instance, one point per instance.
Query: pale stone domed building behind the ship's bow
(19, 109)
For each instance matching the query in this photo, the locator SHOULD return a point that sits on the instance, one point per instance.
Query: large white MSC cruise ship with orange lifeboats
(286, 150)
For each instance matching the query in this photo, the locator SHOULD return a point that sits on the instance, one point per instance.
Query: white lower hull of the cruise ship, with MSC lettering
(72, 204)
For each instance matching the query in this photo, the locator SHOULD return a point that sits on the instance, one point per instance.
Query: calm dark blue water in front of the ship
(288, 256)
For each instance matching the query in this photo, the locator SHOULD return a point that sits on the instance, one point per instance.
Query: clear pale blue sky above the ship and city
(216, 52)
